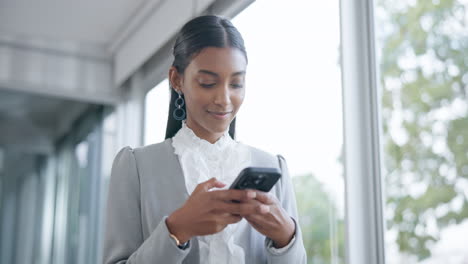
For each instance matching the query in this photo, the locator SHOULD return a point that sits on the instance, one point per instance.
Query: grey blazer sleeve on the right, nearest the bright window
(296, 252)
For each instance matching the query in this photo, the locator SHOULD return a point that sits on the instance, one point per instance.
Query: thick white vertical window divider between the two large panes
(365, 226)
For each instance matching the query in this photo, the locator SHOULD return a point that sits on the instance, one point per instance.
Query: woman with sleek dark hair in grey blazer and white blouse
(169, 202)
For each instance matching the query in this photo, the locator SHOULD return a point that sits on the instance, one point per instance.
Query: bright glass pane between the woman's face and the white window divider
(293, 108)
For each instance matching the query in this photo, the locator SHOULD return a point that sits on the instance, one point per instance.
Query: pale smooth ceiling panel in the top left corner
(86, 22)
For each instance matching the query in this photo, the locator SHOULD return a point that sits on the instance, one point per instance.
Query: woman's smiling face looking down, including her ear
(213, 86)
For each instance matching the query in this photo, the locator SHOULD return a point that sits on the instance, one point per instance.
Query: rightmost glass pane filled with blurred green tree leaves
(423, 48)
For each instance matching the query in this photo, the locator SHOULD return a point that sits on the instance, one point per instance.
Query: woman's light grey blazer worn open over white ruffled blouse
(147, 185)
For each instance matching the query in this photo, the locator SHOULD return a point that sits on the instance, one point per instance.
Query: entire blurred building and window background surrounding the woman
(79, 80)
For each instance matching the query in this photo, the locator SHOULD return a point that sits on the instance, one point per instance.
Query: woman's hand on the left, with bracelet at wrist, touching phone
(207, 212)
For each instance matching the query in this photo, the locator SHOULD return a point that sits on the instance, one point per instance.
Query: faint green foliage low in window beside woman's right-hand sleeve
(318, 218)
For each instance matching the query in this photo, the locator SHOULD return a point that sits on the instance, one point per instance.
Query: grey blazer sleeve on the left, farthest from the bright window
(123, 240)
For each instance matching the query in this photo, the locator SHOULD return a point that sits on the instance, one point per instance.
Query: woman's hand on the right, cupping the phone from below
(266, 215)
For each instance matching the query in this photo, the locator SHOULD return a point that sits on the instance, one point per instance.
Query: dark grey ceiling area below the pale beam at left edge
(32, 123)
